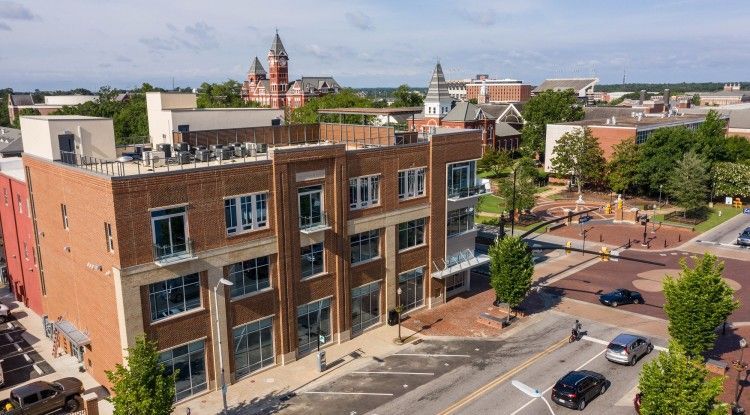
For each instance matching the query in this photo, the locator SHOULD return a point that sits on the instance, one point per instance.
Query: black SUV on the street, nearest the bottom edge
(578, 388)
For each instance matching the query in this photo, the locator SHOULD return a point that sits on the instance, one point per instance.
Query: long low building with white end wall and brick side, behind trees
(614, 129)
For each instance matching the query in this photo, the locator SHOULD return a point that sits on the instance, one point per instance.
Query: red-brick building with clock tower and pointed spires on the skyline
(274, 89)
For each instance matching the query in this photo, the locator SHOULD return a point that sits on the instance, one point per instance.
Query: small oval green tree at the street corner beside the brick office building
(511, 270)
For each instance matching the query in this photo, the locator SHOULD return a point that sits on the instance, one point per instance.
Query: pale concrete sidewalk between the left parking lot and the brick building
(64, 365)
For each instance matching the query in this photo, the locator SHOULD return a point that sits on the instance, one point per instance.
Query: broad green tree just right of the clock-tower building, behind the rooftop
(345, 98)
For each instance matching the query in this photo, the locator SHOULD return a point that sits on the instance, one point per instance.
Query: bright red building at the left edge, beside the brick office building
(19, 247)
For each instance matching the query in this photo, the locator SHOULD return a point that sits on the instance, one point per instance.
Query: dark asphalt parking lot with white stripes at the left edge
(19, 360)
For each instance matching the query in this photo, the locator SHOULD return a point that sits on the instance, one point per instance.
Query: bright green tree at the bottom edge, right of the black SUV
(676, 384)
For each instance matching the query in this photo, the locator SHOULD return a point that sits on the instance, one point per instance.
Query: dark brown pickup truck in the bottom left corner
(39, 398)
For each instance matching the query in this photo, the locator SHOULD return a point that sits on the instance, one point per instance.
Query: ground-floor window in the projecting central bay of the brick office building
(313, 325)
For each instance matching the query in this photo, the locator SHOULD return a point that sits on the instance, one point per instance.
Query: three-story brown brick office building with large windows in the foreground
(317, 226)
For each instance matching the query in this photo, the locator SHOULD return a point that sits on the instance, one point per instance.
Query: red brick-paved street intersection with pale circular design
(645, 274)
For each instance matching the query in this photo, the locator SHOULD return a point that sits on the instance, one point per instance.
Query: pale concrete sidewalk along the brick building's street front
(261, 392)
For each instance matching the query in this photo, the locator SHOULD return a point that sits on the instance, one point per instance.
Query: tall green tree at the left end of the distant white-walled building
(545, 108)
